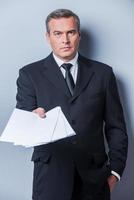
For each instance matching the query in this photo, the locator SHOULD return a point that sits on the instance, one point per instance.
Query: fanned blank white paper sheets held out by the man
(28, 129)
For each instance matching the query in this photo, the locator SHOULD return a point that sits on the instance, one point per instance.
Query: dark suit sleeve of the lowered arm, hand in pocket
(115, 128)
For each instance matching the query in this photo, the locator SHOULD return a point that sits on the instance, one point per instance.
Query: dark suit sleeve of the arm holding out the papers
(26, 95)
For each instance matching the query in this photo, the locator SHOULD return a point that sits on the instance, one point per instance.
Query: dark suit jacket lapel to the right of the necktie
(85, 74)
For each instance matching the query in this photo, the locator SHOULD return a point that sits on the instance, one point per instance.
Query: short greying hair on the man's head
(59, 13)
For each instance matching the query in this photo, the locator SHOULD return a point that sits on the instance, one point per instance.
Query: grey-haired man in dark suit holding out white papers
(75, 168)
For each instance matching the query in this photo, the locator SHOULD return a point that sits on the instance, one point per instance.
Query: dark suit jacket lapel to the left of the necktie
(54, 74)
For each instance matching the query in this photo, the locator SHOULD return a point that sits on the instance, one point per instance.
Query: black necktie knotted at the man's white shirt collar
(68, 77)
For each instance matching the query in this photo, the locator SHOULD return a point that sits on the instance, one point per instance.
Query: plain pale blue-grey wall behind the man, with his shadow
(107, 36)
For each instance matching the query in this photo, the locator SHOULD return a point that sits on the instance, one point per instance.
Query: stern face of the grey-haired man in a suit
(64, 37)
